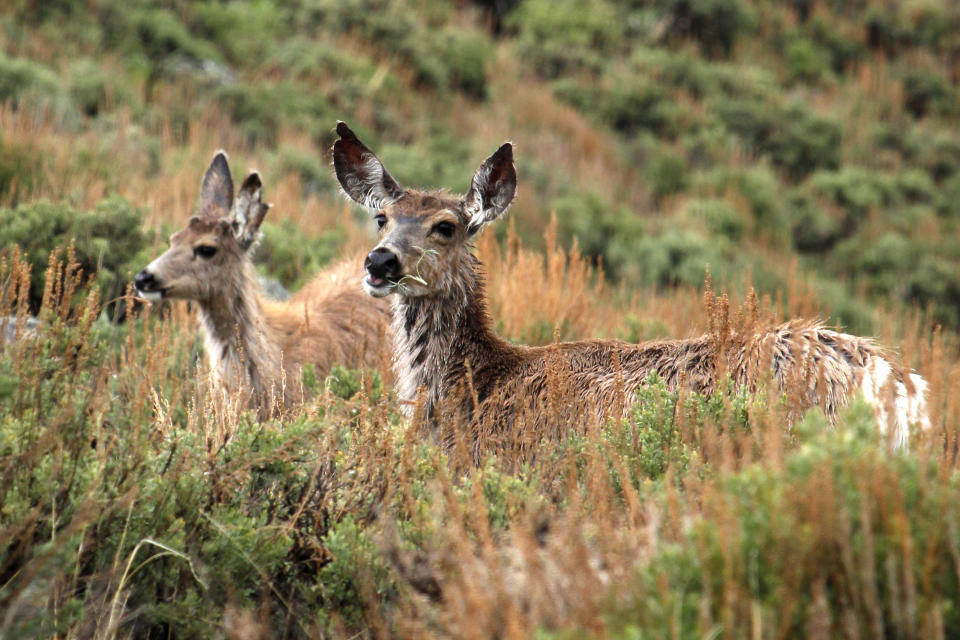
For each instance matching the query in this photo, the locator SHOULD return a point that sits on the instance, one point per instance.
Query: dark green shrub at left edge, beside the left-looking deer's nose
(109, 243)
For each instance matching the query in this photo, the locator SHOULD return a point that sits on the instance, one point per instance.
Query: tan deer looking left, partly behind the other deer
(257, 347)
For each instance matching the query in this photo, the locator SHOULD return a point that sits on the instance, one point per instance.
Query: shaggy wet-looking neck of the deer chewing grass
(439, 336)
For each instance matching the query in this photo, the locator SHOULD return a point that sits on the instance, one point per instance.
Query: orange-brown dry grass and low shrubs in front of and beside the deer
(746, 529)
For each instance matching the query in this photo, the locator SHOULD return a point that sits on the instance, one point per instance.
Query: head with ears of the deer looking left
(215, 244)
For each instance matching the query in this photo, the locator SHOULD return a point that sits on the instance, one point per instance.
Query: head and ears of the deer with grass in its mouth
(423, 234)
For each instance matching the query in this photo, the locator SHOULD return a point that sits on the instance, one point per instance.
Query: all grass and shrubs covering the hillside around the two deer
(809, 149)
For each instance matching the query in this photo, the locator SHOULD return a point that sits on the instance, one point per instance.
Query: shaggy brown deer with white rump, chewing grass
(450, 365)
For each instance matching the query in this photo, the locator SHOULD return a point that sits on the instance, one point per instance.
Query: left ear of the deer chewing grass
(362, 176)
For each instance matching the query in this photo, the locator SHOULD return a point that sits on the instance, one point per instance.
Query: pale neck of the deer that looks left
(241, 350)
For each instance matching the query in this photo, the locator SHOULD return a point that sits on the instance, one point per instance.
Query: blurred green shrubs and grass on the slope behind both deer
(668, 136)
